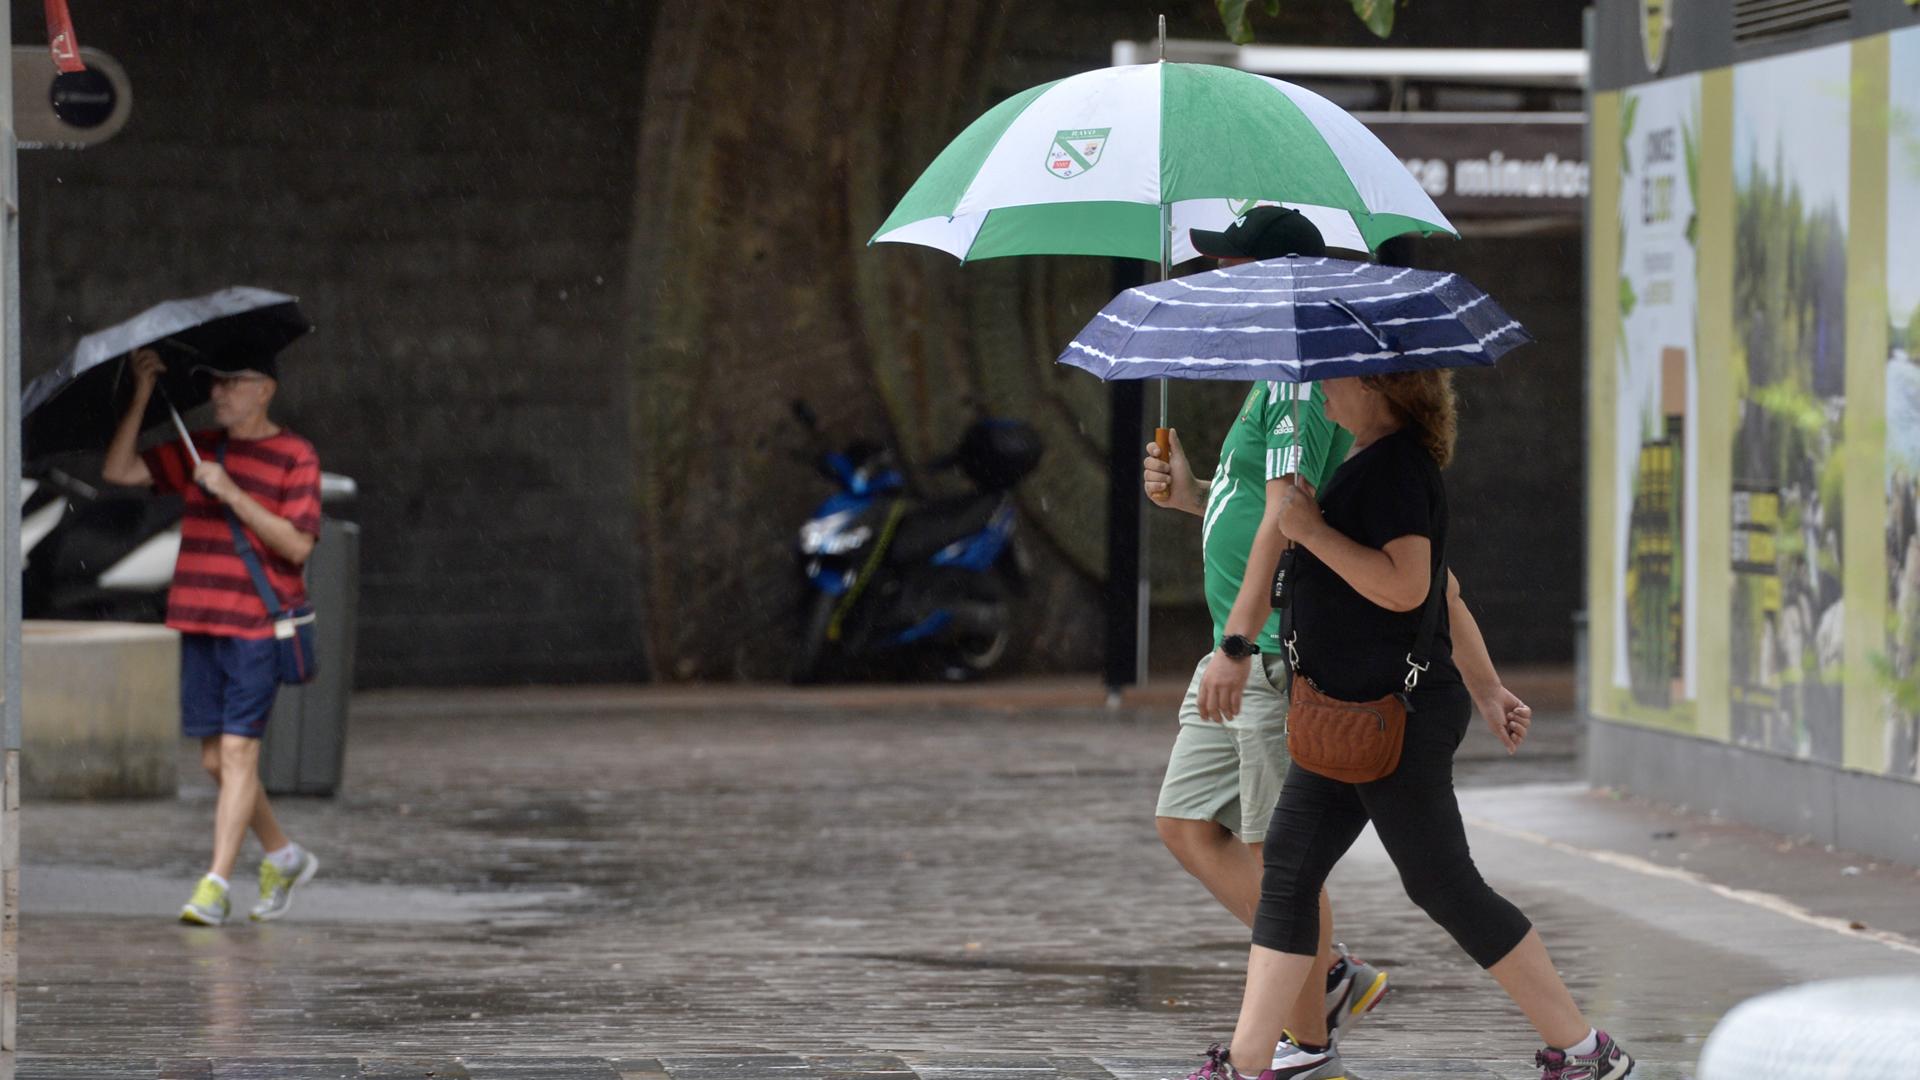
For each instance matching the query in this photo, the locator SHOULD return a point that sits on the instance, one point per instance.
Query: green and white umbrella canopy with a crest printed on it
(1128, 160)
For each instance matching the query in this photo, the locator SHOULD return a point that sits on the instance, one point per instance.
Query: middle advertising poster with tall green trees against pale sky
(1790, 322)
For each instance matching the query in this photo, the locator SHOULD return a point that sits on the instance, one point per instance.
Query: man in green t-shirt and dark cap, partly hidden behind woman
(1230, 758)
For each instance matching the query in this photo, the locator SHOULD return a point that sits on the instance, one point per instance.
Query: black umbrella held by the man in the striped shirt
(80, 405)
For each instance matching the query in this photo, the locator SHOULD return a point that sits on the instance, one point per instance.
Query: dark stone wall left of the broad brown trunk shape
(448, 189)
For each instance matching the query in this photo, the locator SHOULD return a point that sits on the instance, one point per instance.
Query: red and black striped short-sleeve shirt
(212, 591)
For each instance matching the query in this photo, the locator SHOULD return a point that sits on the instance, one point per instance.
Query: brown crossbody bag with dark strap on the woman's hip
(1360, 743)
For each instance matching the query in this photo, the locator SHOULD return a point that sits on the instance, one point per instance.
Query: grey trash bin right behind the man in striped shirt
(308, 735)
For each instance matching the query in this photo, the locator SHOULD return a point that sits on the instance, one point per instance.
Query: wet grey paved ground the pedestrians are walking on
(855, 885)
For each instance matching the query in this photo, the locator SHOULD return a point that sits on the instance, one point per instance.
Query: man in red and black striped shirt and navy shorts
(254, 483)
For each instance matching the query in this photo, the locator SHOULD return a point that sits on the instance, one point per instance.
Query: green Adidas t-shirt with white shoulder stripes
(1262, 447)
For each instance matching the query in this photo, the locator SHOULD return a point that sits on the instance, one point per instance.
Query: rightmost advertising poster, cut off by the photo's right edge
(1904, 406)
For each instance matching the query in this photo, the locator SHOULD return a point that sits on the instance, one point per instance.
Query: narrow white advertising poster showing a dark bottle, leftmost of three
(1656, 464)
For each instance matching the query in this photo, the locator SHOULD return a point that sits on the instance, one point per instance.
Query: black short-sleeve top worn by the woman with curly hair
(1351, 647)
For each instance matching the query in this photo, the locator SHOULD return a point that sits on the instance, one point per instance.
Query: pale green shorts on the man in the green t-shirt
(1232, 773)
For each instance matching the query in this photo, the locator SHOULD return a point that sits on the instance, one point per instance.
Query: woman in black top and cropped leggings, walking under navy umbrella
(1370, 554)
